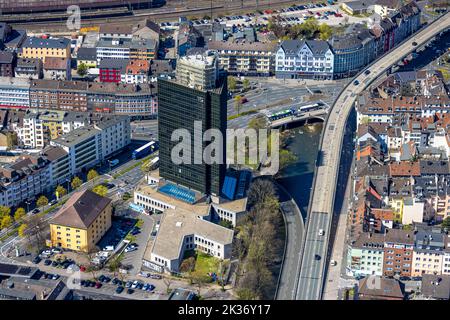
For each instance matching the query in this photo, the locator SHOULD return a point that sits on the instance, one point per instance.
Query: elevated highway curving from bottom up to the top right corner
(320, 213)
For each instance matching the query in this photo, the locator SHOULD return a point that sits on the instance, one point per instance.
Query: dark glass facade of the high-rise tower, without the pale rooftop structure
(179, 107)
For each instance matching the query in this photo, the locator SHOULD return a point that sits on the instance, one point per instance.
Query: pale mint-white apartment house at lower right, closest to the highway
(365, 255)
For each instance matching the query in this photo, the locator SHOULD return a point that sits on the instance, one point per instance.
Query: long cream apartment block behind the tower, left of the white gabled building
(245, 58)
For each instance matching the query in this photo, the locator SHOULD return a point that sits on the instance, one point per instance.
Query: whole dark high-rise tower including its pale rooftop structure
(199, 94)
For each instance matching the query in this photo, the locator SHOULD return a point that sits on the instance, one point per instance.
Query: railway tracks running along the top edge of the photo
(48, 22)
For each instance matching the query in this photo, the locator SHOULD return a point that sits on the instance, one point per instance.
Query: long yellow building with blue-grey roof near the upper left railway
(34, 47)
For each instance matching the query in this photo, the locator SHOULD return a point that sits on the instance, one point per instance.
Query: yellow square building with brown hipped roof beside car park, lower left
(81, 222)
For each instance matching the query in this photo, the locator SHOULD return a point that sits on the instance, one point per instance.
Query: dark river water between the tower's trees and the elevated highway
(297, 178)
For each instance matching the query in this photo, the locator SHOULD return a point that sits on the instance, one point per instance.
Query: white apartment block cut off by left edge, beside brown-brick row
(14, 93)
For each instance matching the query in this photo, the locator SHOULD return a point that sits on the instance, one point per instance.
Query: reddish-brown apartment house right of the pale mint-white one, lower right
(398, 252)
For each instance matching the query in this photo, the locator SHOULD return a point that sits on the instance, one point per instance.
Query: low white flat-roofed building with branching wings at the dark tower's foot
(183, 227)
